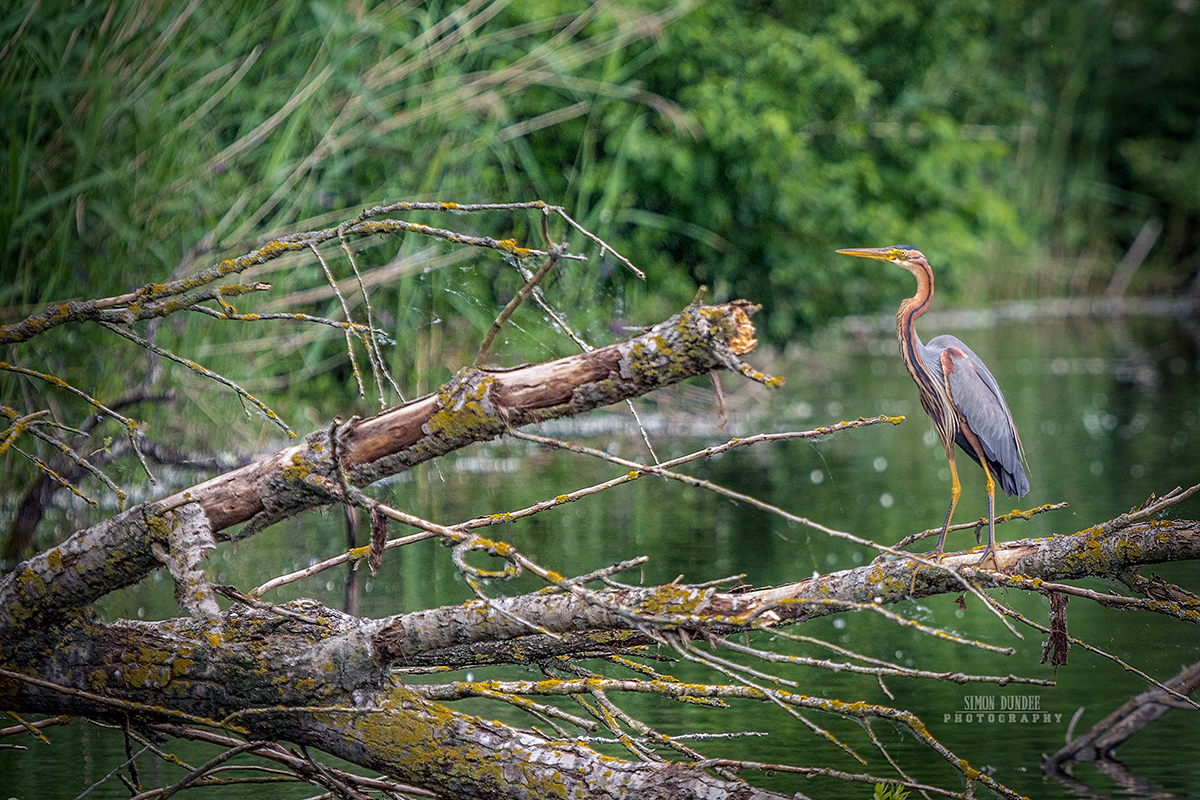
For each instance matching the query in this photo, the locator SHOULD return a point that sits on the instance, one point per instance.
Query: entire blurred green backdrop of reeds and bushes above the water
(735, 145)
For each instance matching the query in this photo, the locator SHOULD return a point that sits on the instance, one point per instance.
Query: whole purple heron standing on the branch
(958, 393)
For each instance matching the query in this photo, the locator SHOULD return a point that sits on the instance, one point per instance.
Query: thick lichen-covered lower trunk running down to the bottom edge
(320, 684)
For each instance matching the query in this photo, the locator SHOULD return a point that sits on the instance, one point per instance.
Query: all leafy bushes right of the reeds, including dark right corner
(973, 131)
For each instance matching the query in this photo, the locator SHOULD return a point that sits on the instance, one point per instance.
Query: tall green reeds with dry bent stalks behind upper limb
(146, 140)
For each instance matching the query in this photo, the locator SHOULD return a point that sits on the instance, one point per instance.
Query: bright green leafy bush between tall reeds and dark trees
(811, 136)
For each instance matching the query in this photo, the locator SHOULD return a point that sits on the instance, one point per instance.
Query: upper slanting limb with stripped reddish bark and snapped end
(476, 406)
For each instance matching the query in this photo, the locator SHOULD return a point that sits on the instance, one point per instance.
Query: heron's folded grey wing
(979, 399)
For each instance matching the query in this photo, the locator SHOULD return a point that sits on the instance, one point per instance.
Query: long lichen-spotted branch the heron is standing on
(464, 635)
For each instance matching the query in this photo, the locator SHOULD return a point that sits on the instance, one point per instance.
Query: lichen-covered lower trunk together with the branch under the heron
(321, 678)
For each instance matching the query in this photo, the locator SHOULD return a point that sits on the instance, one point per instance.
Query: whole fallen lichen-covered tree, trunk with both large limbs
(307, 675)
